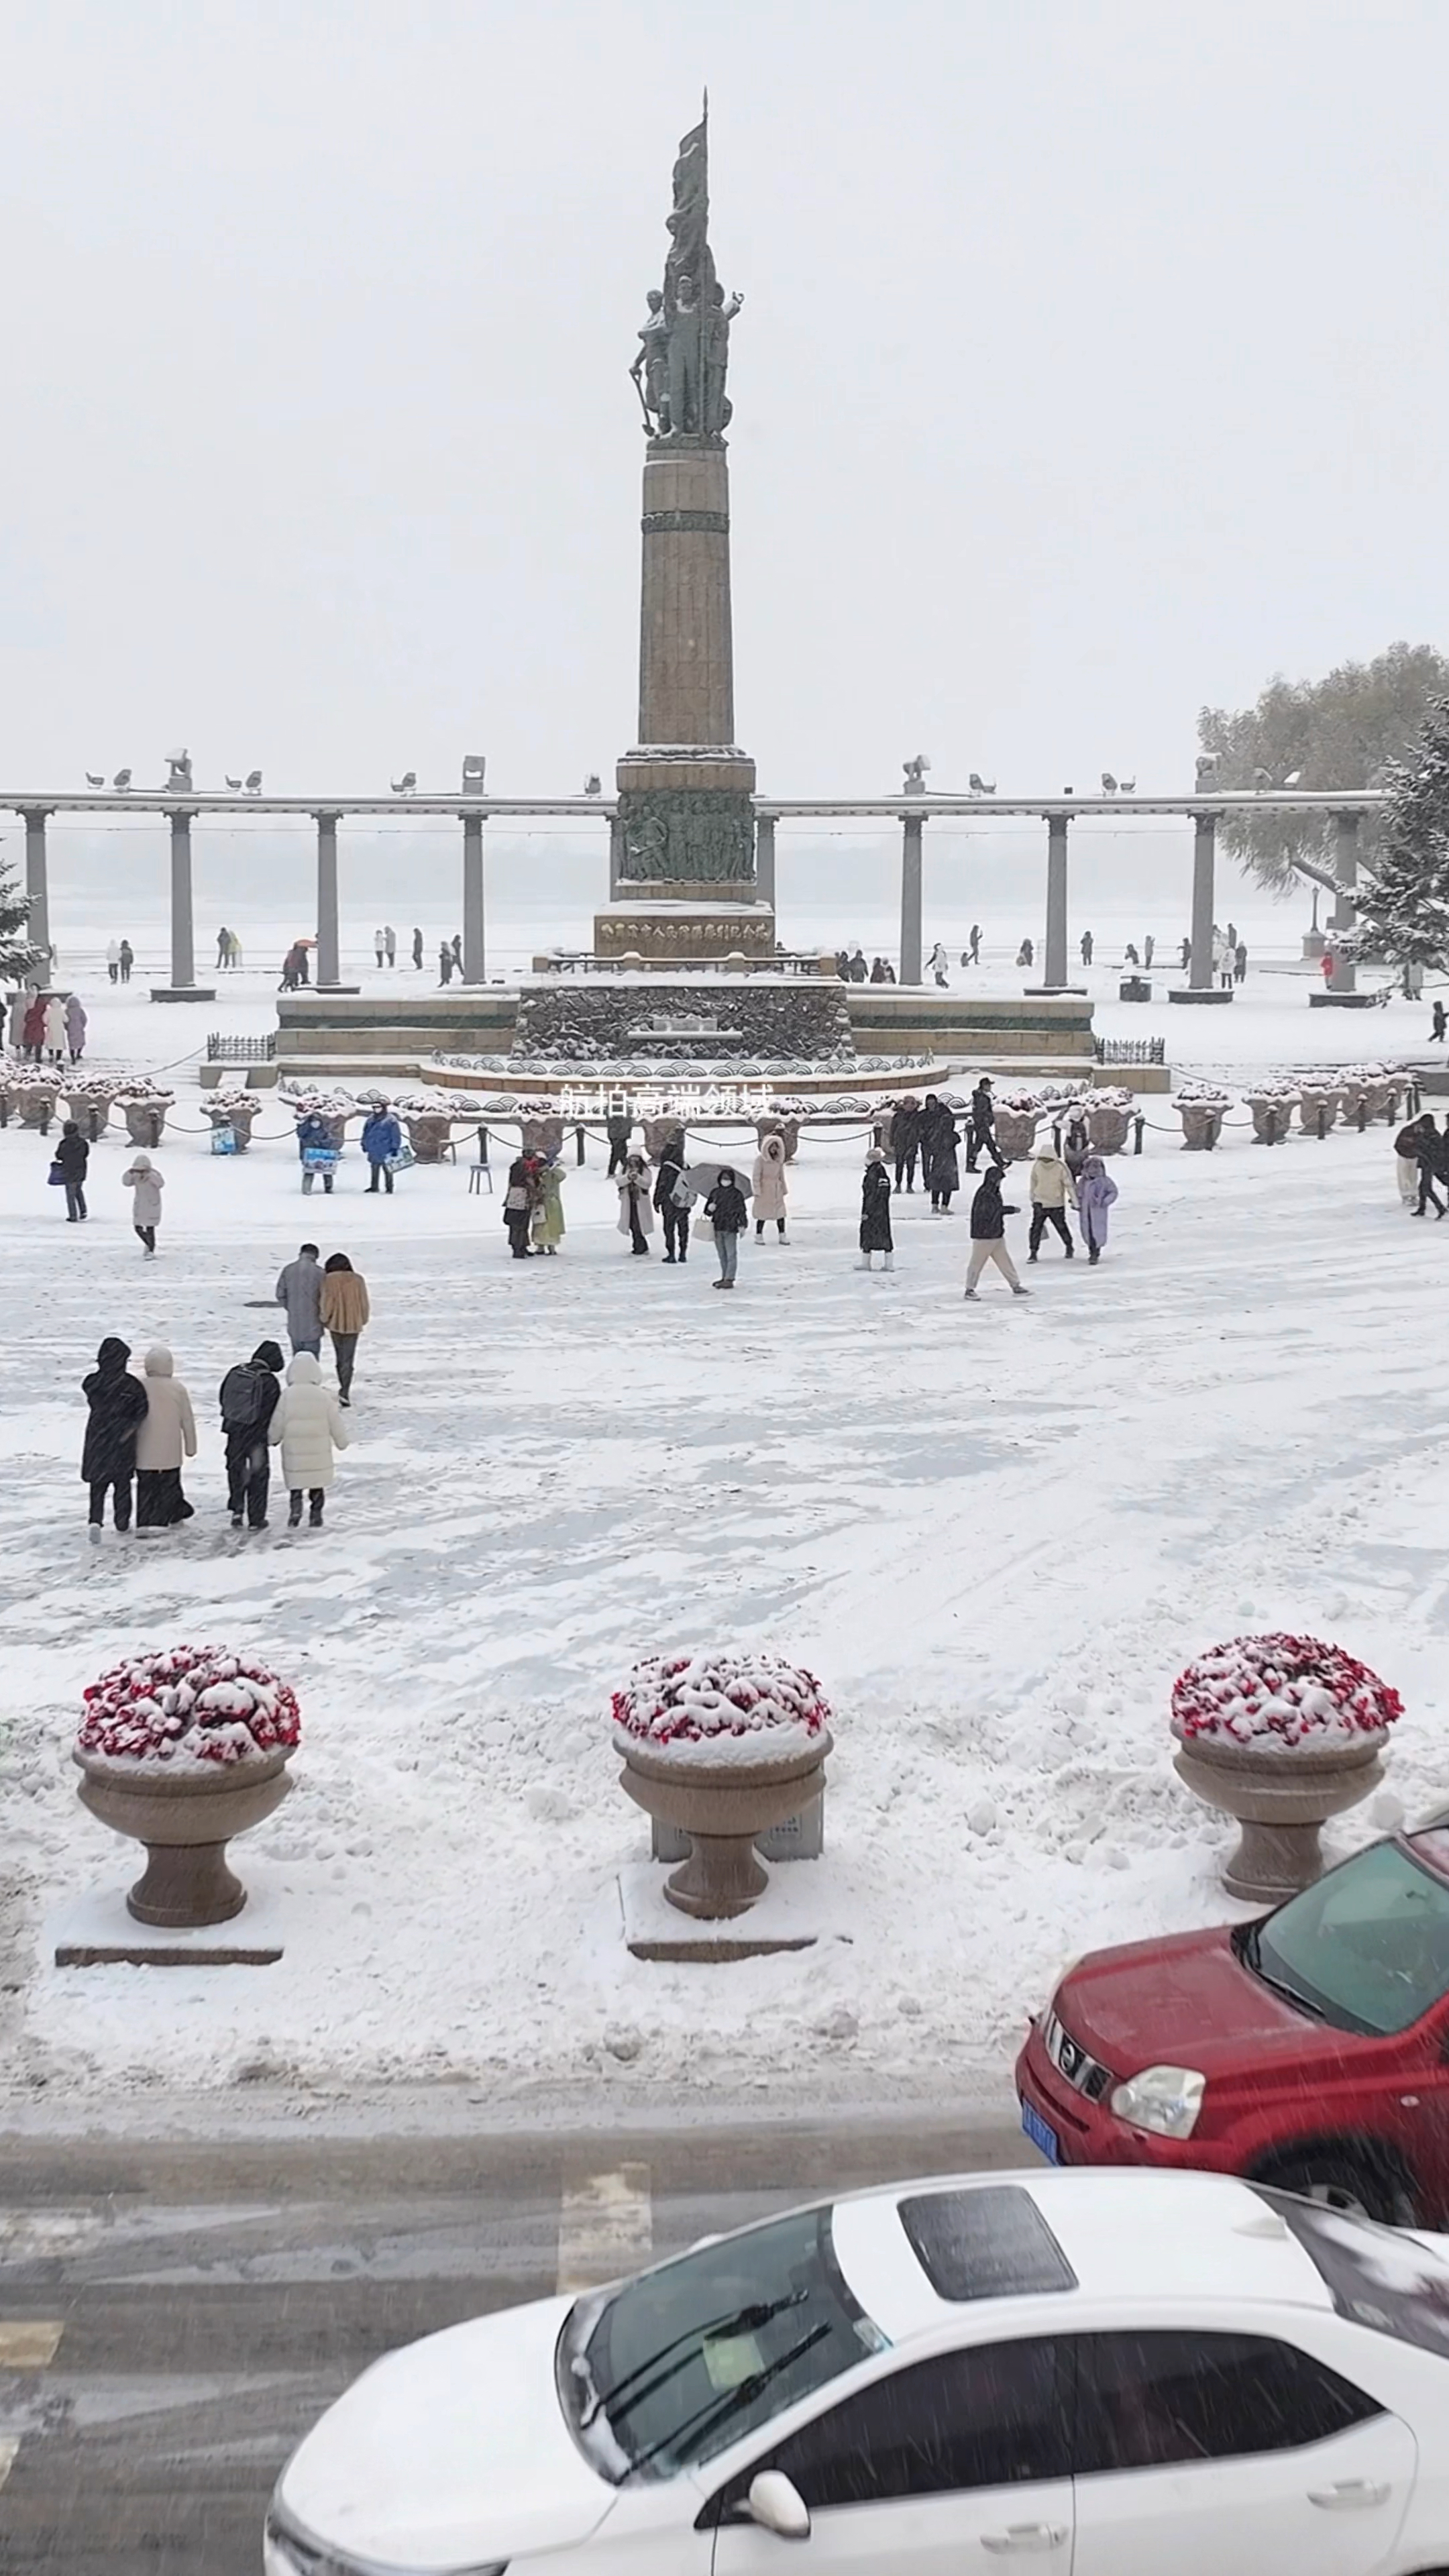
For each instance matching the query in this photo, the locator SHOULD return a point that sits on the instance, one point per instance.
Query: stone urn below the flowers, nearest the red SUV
(1283, 1797)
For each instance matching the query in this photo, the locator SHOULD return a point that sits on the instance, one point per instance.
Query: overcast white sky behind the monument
(1092, 367)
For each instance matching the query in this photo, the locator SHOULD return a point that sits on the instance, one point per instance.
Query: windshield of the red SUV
(1365, 1949)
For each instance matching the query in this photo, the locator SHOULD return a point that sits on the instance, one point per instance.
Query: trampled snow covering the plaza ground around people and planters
(994, 1537)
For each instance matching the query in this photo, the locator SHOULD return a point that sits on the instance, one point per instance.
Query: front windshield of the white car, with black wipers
(685, 2361)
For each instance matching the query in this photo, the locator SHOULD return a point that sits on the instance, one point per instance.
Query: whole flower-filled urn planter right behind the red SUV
(1280, 1732)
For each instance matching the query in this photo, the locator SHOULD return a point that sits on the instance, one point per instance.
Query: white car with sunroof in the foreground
(1107, 2374)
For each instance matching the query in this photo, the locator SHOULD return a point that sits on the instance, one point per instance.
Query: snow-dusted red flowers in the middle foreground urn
(721, 1709)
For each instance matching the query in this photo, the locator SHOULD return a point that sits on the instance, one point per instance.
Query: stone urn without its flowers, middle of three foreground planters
(721, 1807)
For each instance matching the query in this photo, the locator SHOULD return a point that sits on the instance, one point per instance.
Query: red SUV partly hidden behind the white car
(1308, 2049)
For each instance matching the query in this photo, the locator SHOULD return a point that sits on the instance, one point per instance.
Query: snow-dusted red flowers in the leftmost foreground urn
(190, 1704)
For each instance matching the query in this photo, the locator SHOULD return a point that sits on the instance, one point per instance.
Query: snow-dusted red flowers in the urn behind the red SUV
(1283, 1691)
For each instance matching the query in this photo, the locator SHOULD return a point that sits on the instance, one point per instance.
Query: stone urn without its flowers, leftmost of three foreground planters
(184, 1817)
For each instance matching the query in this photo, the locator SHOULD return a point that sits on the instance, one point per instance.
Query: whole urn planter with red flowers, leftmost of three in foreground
(182, 1750)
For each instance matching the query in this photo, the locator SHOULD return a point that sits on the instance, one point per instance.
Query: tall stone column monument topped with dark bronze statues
(685, 844)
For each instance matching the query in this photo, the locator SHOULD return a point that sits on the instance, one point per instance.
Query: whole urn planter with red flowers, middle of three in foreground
(723, 1748)
